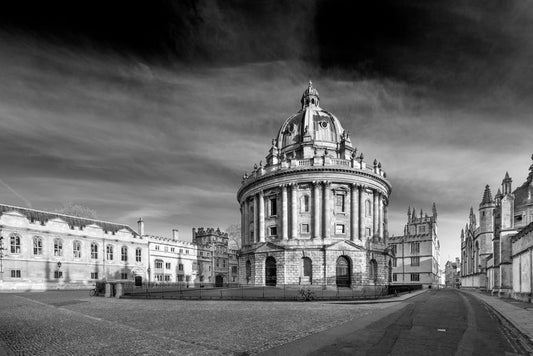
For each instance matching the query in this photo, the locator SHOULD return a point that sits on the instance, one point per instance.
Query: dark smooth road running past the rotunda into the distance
(438, 322)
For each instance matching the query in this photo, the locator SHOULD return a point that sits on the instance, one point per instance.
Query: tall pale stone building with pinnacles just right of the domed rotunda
(417, 251)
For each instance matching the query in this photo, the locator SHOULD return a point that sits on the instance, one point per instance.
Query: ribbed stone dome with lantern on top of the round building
(312, 126)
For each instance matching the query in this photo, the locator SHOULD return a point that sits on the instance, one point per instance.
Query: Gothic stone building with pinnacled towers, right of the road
(489, 249)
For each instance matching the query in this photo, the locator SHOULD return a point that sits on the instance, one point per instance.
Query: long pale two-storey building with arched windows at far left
(44, 250)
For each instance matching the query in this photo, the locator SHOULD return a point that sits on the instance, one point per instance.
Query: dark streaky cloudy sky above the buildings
(157, 109)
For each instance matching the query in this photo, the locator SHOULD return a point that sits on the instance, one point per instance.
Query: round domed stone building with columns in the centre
(316, 212)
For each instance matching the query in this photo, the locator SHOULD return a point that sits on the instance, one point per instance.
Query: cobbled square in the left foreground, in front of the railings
(68, 323)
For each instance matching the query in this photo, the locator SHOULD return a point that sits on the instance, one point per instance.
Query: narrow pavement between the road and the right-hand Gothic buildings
(517, 313)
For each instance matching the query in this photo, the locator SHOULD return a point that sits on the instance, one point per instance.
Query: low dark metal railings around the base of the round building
(247, 292)
